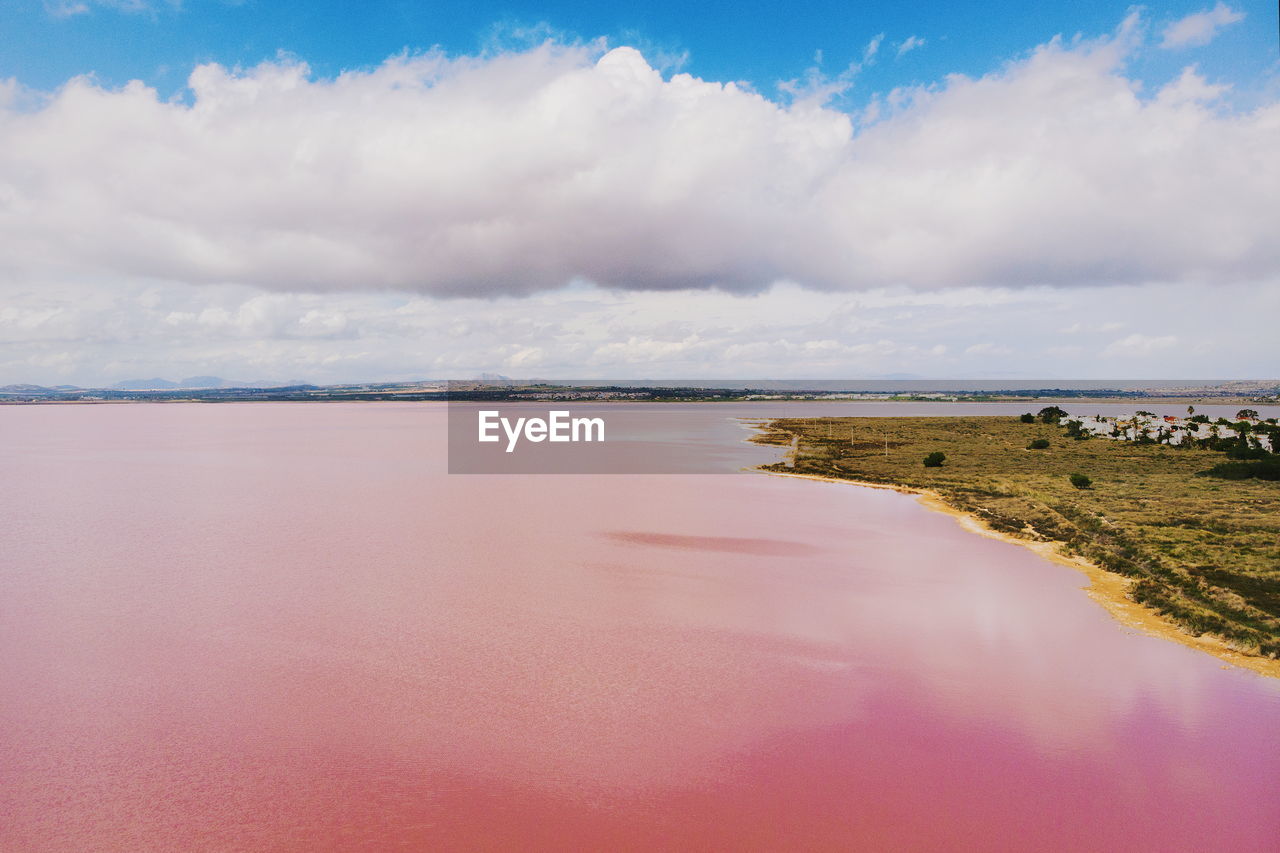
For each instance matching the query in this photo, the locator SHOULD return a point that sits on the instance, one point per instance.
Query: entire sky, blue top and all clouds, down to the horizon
(300, 191)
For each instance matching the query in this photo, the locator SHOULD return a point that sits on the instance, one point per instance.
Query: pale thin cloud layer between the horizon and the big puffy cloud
(85, 334)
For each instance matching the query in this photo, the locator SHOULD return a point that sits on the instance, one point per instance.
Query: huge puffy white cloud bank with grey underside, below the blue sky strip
(518, 172)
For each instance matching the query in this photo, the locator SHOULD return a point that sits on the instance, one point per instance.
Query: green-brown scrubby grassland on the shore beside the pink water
(1203, 551)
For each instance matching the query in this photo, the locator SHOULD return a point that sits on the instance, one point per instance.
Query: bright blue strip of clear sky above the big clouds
(43, 44)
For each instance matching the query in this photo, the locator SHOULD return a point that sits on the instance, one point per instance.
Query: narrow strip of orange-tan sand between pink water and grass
(1105, 587)
